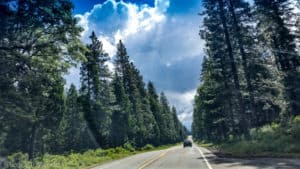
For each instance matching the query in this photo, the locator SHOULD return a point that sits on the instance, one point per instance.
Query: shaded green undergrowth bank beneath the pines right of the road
(273, 140)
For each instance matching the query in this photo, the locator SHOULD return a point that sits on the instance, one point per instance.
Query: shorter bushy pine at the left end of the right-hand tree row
(211, 118)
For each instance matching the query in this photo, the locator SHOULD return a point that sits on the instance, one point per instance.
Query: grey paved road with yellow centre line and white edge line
(196, 158)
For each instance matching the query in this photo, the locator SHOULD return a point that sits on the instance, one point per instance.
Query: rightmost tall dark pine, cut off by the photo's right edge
(281, 44)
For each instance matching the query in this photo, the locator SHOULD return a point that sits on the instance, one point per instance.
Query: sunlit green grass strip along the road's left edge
(86, 160)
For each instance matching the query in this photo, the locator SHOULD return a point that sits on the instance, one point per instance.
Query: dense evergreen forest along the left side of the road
(39, 43)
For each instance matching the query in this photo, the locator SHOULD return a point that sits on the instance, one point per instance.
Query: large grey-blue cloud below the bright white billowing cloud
(170, 54)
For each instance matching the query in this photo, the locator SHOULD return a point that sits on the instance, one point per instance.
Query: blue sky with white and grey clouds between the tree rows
(161, 37)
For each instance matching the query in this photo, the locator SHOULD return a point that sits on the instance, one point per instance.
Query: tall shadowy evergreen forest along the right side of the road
(250, 77)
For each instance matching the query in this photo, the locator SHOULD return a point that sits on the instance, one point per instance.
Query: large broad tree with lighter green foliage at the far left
(39, 41)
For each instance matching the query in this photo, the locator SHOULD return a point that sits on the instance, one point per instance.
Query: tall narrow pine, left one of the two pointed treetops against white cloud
(96, 92)
